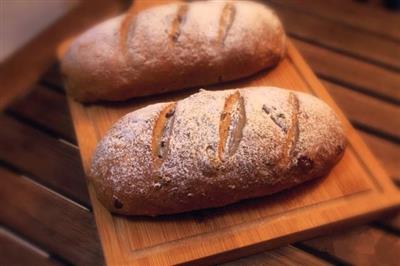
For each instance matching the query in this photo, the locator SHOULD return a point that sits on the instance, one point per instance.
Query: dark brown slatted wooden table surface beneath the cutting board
(46, 217)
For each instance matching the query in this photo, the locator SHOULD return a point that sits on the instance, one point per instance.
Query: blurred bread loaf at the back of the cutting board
(172, 47)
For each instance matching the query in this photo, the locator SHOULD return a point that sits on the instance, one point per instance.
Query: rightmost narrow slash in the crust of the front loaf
(292, 133)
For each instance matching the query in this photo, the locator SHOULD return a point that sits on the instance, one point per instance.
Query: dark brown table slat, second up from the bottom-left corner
(45, 218)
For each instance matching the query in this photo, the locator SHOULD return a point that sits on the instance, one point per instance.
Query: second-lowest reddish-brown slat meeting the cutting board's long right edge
(367, 110)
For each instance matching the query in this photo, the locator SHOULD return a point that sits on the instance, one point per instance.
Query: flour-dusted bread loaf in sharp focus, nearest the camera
(214, 148)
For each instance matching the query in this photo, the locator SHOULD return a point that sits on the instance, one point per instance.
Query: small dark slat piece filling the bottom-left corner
(15, 251)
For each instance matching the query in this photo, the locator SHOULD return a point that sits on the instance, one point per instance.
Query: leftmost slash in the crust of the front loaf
(162, 134)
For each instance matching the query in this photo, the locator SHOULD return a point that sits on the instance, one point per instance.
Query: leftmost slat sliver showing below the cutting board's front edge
(282, 256)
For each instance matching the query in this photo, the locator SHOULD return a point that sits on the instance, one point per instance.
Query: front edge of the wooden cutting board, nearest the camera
(153, 254)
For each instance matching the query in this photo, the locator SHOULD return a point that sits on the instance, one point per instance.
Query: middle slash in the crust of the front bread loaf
(232, 122)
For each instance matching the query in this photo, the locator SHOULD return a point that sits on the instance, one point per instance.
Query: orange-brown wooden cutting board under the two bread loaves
(357, 189)
